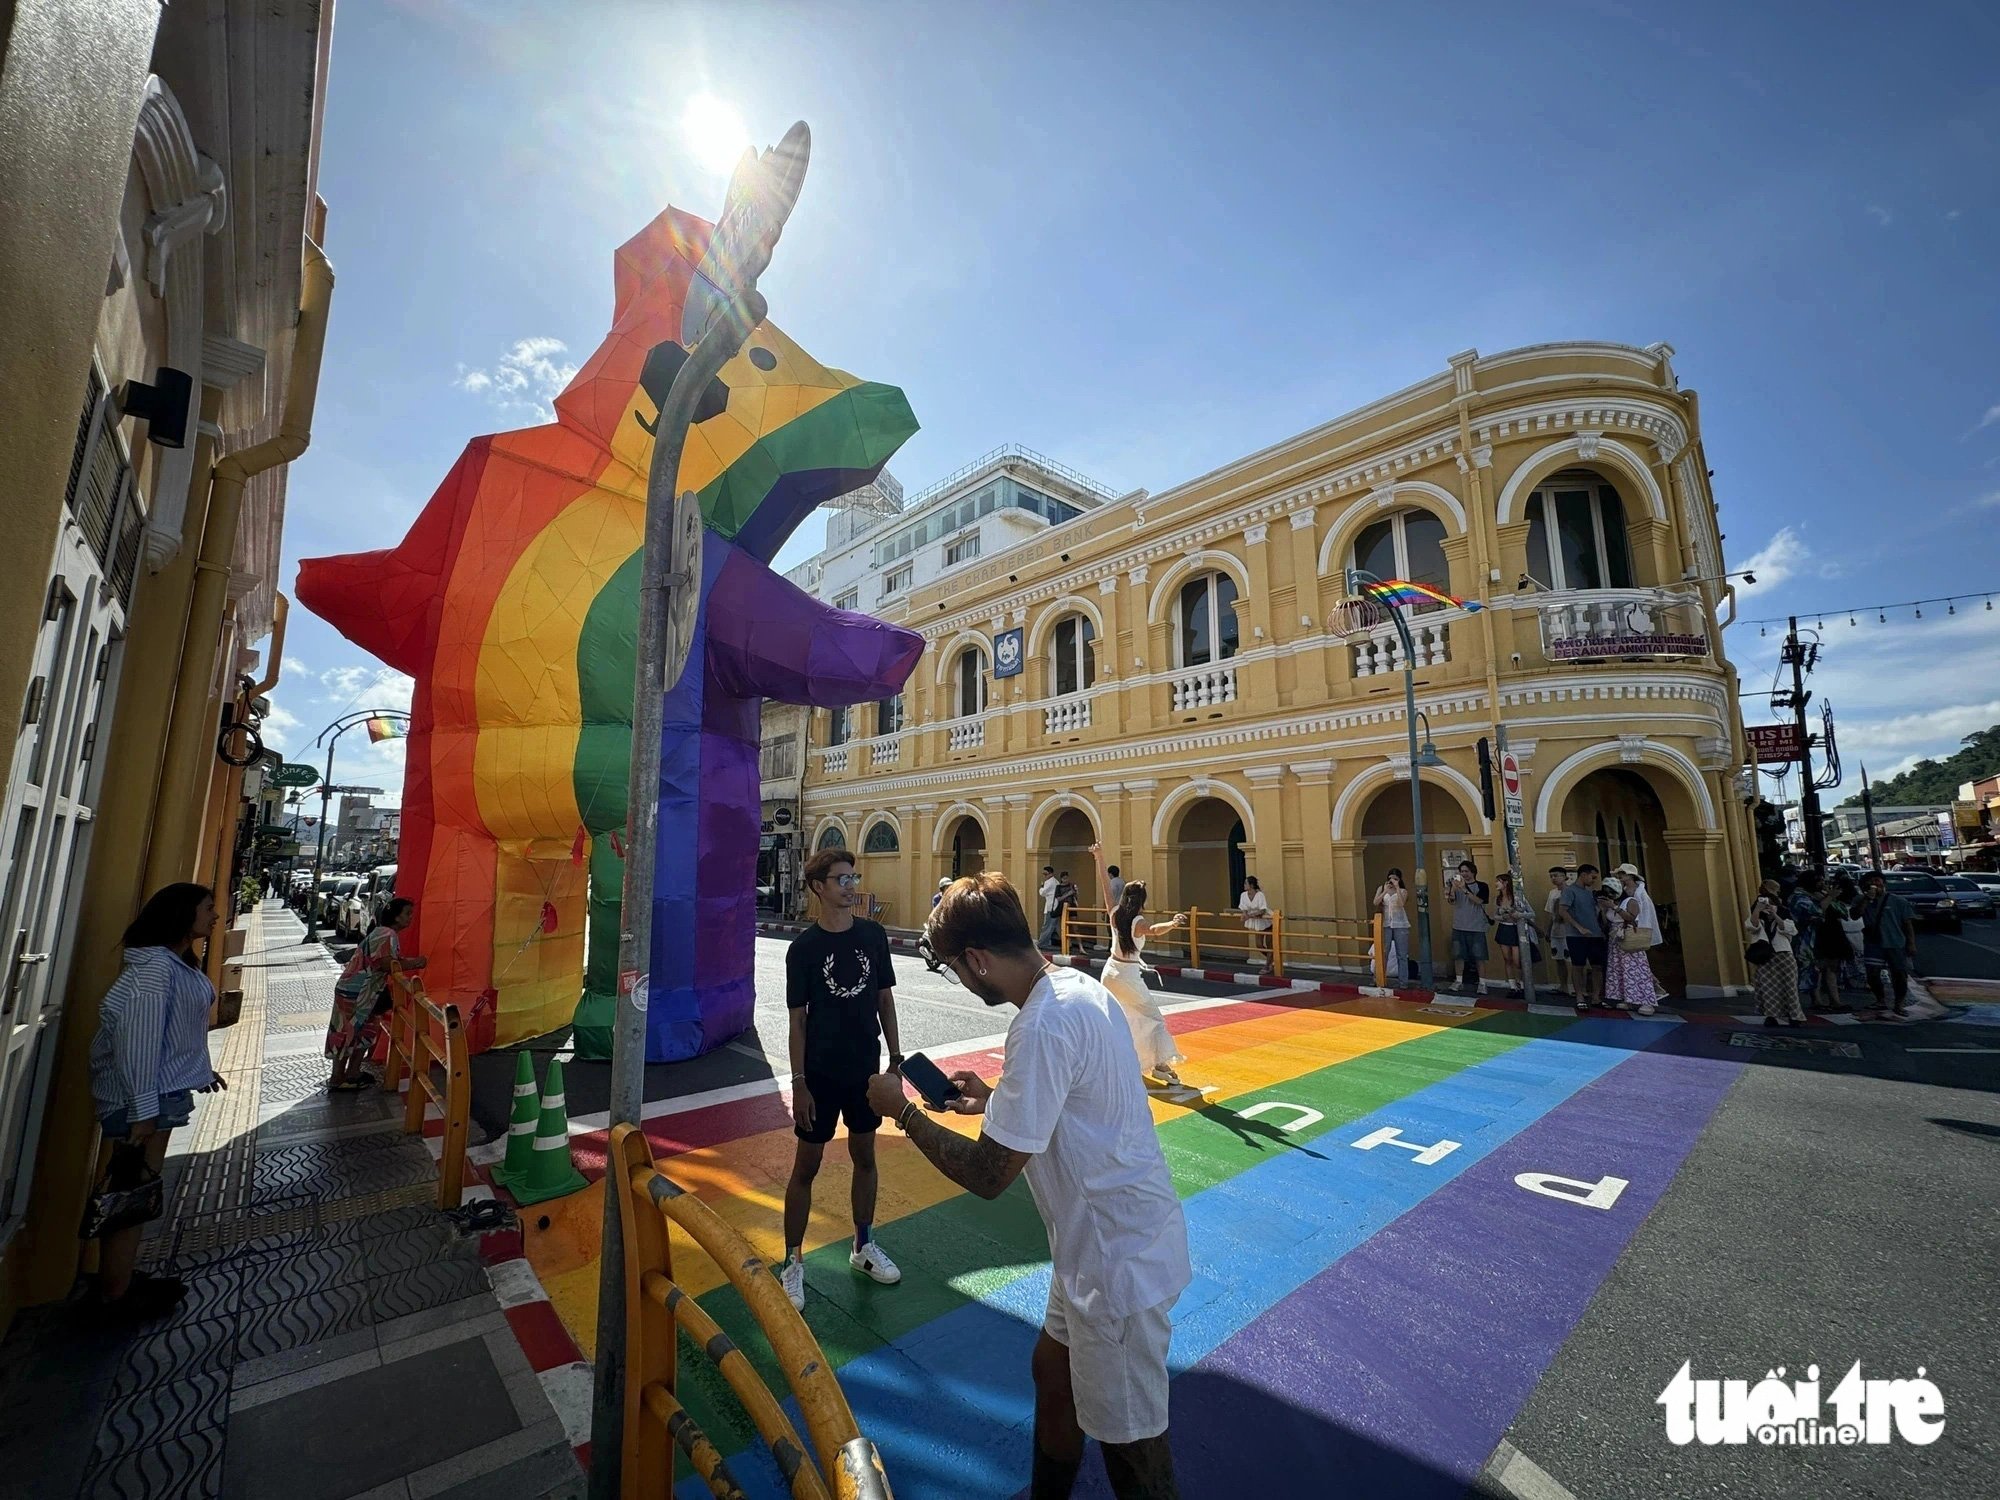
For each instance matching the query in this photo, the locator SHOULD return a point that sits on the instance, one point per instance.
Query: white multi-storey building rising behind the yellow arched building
(881, 547)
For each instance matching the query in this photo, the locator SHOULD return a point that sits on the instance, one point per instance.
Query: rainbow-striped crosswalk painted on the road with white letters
(1395, 1217)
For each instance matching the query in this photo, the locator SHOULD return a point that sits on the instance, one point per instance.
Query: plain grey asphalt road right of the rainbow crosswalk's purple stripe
(1835, 1211)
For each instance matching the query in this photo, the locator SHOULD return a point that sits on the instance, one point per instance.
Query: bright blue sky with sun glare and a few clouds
(1149, 239)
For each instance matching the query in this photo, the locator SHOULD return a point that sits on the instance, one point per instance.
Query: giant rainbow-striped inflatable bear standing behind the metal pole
(513, 603)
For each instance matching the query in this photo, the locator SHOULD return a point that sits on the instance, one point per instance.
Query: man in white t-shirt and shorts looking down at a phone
(1071, 1115)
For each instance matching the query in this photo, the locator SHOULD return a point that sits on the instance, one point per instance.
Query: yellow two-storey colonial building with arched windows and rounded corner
(1159, 673)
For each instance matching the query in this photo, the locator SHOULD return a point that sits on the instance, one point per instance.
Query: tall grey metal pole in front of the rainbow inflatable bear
(671, 575)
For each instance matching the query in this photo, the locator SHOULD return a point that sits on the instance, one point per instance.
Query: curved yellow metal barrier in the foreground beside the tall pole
(657, 1307)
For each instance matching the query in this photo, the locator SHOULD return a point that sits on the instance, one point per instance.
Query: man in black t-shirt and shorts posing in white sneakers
(839, 983)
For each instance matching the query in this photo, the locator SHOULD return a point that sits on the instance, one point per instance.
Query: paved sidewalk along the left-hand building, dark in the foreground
(341, 1339)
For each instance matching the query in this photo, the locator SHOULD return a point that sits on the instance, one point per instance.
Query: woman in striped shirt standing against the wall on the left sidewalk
(147, 1063)
